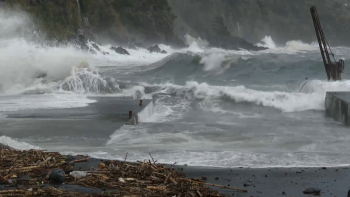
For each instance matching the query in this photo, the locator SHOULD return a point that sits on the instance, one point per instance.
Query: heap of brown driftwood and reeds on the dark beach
(41, 173)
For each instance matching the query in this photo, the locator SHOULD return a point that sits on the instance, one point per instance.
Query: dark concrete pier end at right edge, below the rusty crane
(337, 106)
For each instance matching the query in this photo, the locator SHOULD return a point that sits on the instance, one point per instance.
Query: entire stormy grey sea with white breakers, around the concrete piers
(214, 107)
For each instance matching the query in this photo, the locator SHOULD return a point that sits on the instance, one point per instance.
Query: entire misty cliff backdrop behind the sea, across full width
(221, 22)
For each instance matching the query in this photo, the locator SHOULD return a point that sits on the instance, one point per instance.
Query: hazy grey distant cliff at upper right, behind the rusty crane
(283, 20)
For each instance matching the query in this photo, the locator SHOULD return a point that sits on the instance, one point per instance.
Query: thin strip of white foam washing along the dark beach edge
(224, 159)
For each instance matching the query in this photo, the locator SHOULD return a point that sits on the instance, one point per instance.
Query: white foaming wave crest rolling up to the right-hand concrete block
(285, 101)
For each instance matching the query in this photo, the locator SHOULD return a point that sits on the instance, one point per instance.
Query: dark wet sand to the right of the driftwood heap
(265, 182)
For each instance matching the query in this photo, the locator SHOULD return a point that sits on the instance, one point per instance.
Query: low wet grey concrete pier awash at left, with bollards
(97, 120)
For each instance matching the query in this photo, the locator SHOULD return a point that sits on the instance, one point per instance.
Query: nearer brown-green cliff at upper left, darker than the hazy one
(122, 21)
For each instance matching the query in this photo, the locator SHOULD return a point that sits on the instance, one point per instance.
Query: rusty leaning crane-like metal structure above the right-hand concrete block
(333, 69)
